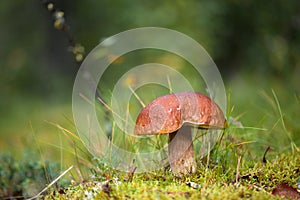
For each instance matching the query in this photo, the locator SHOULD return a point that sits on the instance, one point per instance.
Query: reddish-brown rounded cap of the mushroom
(168, 113)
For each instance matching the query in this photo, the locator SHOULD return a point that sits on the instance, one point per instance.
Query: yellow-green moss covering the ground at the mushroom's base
(256, 182)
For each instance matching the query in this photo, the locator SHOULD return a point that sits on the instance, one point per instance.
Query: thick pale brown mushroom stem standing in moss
(181, 151)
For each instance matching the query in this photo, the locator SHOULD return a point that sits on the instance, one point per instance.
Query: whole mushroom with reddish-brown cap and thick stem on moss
(176, 114)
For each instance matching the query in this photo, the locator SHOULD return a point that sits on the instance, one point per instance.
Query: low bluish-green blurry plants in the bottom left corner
(25, 178)
